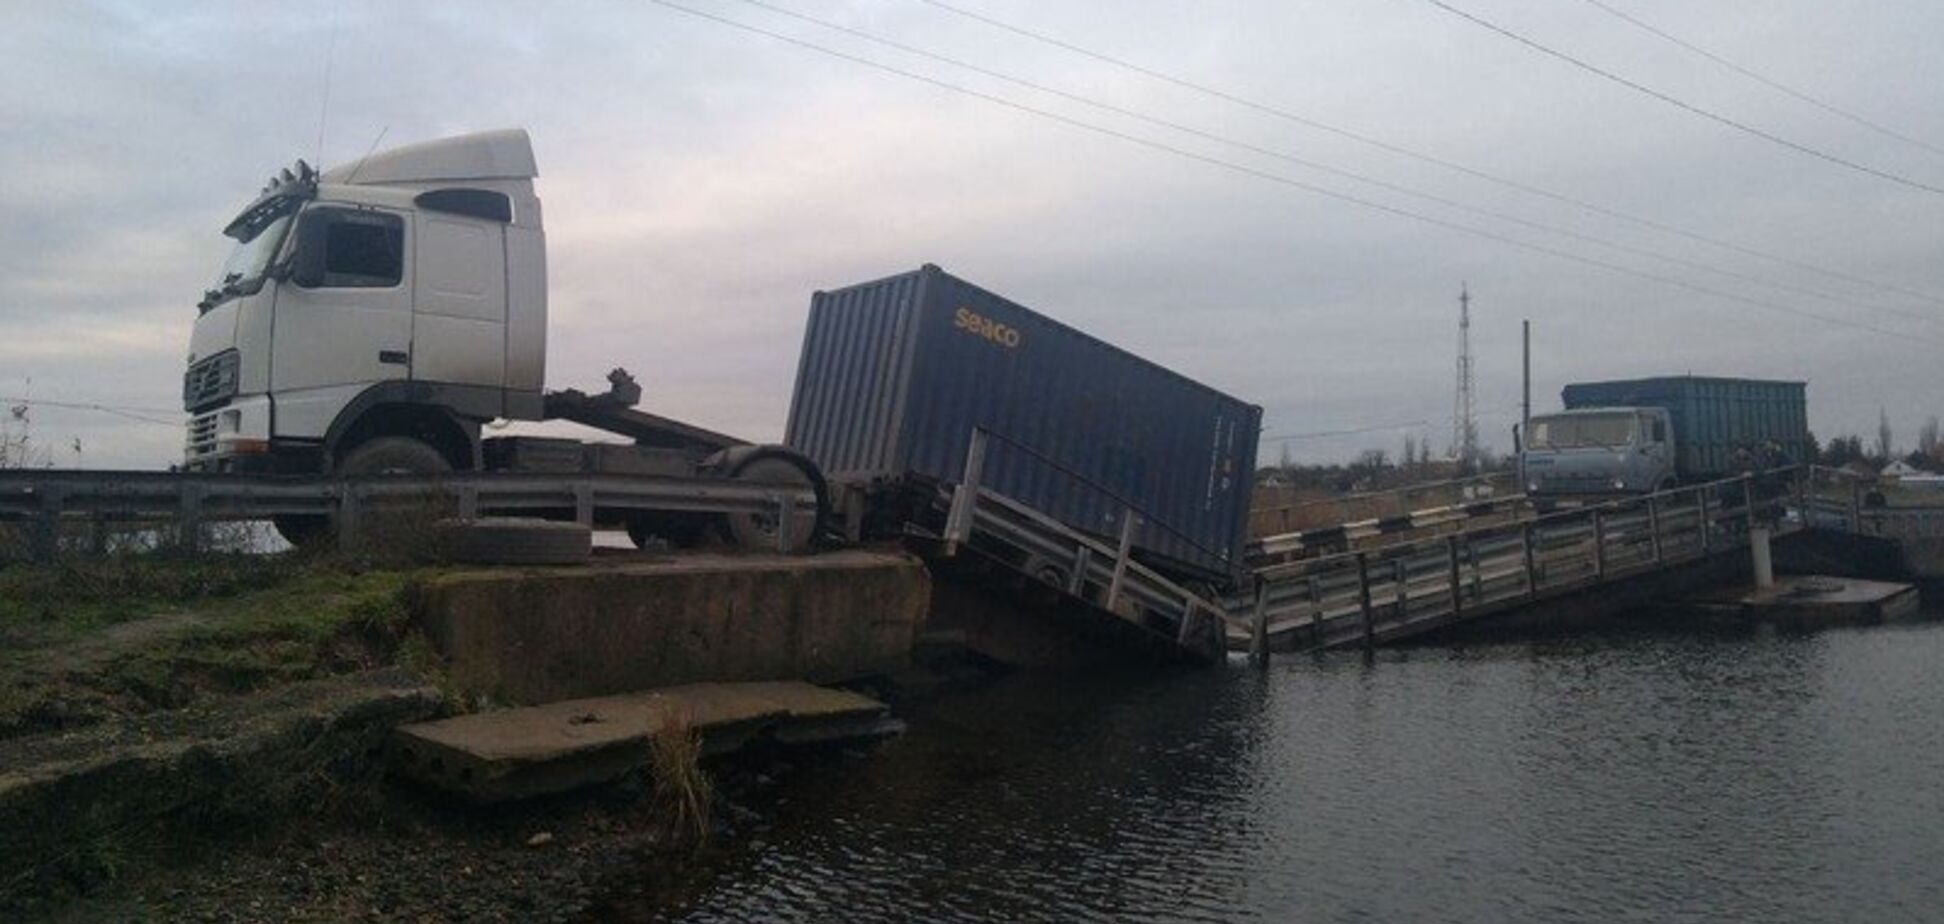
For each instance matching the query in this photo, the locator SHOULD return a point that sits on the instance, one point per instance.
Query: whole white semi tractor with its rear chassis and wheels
(370, 320)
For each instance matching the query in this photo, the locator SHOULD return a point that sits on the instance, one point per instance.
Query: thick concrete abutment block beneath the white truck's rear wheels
(526, 637)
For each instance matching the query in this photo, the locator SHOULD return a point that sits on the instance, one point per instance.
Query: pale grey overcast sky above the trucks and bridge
(701, 182)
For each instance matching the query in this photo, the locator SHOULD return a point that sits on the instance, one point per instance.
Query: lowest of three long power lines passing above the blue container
(1288, 182)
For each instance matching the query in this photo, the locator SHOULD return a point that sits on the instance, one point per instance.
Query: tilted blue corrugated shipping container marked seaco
(897, 374)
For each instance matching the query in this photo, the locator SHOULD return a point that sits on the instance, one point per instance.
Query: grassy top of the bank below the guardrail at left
(92, 639)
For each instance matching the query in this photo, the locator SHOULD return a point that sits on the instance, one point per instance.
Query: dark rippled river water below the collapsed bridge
(1651, 777)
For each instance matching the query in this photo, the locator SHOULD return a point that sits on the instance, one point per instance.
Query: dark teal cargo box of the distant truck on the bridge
(1712, 417)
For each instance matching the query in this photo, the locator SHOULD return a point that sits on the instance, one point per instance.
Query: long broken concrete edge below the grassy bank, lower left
(79, 806)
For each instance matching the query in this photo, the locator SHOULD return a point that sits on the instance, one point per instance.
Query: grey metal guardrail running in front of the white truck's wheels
(48, 501)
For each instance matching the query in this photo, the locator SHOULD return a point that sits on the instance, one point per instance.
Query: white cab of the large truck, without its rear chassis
(396, 299)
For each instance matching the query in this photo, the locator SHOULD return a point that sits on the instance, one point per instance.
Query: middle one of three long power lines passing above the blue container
(1325, 168)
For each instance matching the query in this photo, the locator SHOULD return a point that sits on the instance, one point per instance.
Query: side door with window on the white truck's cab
(343, 318)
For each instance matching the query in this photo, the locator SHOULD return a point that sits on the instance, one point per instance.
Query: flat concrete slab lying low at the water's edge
(565, 746)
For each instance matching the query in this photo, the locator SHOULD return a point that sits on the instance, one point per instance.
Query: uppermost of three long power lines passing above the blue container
(1430, 159)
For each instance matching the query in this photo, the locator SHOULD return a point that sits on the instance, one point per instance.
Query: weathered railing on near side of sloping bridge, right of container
(1397, 592)
